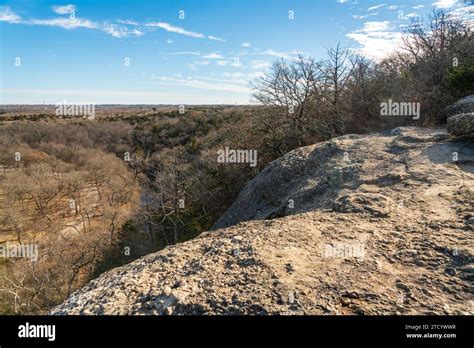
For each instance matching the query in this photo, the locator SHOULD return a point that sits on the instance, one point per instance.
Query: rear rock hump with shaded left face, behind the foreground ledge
(329, 174)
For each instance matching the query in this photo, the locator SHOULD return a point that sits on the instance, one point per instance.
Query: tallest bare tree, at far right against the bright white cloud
(431, 50)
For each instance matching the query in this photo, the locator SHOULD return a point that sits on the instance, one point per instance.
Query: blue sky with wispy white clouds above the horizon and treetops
(180, 52)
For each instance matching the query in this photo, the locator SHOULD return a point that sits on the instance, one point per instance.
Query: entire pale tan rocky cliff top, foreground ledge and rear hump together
(374, 224)
